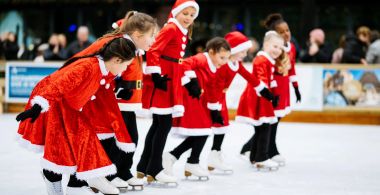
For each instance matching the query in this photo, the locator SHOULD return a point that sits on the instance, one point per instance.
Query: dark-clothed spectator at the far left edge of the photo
(9, 45)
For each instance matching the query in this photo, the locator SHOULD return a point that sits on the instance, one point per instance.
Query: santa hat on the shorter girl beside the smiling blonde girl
(238, 42)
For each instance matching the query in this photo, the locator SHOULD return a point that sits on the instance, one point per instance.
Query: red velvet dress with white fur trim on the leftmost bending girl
(64, 131)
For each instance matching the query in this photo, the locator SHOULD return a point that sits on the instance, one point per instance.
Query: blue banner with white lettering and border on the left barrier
(21, 77)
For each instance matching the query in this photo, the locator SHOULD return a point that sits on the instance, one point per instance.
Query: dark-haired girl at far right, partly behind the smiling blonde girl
(284, 73)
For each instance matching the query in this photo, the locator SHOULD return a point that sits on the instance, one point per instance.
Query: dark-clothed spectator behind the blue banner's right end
(55, 50)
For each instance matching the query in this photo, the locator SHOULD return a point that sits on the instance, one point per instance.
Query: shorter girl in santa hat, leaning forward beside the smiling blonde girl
(217, 102)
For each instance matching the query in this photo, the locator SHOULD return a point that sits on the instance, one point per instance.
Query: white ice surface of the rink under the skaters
(321, 159)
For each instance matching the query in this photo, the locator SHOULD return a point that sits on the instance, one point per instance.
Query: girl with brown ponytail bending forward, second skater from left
(138, 28)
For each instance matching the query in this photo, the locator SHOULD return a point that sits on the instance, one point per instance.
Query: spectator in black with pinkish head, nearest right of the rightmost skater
(318, 49)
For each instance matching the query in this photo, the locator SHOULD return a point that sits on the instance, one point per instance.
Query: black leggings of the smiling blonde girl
(260, 143)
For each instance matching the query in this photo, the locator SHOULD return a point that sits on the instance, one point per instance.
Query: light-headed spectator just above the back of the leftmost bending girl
(81, 42)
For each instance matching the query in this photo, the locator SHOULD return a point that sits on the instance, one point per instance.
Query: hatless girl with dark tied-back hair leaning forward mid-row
(196, 123)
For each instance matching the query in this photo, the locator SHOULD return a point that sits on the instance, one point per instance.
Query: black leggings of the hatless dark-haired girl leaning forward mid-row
(195, 143)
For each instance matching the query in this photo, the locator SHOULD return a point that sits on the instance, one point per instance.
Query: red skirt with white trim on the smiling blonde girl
(254, 110)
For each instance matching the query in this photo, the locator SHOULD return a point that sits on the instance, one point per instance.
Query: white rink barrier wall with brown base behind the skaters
(311, 109)
